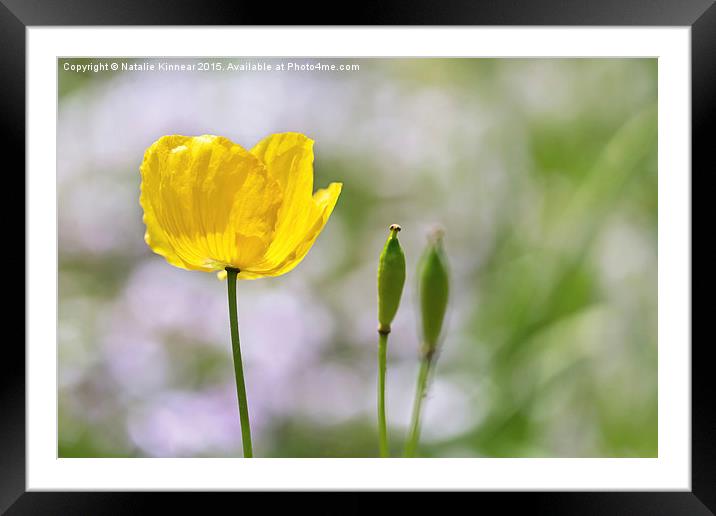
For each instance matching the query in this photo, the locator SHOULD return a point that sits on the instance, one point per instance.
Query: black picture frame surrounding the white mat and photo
(17, 15)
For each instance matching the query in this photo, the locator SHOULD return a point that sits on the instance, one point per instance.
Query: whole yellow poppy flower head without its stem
(210, 204)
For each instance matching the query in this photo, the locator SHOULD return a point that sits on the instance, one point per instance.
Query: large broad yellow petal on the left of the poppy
(208, 203)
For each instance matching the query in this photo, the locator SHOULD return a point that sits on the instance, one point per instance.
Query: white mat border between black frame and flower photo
(670, 471)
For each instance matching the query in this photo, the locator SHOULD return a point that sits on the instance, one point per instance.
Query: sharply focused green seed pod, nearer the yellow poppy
(391, 278)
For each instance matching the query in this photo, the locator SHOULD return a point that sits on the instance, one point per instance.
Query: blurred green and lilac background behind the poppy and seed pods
(543, 173)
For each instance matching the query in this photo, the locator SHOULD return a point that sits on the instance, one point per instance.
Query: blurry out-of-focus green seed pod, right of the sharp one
(433, 288)
